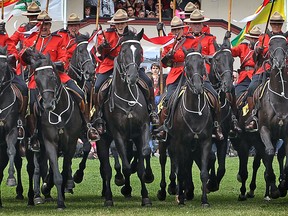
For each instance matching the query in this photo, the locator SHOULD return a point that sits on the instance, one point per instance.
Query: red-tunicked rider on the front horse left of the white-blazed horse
(51, 44)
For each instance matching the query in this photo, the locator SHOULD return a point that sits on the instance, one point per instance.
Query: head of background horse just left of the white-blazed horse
(81, 63)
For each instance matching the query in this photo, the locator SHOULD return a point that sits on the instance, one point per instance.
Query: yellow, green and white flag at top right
(259, 17)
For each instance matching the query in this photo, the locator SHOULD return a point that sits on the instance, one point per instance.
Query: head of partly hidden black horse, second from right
(222, 68)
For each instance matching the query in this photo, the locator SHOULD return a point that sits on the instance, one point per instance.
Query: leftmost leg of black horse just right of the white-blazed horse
(161, 195)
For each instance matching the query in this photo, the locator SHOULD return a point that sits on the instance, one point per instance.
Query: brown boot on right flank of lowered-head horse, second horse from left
(92, 133)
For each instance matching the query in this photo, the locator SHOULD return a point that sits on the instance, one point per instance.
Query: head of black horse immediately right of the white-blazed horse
(194, 67)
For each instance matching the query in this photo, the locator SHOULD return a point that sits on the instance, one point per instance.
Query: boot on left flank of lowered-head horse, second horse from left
(33, 142)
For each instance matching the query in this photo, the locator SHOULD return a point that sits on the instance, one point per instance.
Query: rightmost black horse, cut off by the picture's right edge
(273, 111)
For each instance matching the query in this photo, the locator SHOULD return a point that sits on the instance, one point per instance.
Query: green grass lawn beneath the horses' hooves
(87, 200)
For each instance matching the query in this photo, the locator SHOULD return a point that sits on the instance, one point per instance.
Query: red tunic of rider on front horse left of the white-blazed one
(52, 45)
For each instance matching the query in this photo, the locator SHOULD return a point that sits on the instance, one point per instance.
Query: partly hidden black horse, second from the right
(222, 81)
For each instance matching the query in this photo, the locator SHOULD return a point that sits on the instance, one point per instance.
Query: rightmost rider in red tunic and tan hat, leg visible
(276, 23)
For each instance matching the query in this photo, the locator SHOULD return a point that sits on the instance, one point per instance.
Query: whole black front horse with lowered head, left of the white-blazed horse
(59, 123)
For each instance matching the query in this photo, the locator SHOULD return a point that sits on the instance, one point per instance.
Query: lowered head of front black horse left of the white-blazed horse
(47, 80)
